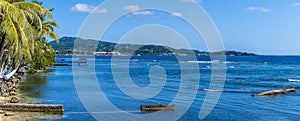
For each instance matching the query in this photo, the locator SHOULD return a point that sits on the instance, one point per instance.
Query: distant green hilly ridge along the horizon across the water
(66, 45)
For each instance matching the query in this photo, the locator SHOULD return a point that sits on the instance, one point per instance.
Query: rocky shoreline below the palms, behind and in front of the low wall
(13, 88)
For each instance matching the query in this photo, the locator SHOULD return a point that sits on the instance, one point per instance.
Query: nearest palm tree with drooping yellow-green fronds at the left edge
(11, 33)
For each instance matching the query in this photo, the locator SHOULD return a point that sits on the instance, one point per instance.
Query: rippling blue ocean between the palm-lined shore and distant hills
(114, 88)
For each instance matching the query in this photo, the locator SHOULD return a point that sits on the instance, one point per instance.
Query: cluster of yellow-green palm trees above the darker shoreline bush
(21, 28)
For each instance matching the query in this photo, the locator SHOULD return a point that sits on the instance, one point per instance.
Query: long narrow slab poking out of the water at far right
(275, 92)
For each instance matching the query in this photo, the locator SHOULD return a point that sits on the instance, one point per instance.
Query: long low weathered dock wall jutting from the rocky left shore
(50, 108)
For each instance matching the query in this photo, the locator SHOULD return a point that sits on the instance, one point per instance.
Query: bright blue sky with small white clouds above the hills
(265, 27)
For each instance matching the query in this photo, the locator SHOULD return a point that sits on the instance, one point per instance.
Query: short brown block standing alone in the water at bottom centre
(157, 107)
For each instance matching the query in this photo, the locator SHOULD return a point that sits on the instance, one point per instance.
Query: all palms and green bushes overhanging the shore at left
(24, 27)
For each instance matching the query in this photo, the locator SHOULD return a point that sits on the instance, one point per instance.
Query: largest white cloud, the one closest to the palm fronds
(85, 8)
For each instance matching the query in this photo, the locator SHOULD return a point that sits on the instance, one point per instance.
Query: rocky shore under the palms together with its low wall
(9, 96)
